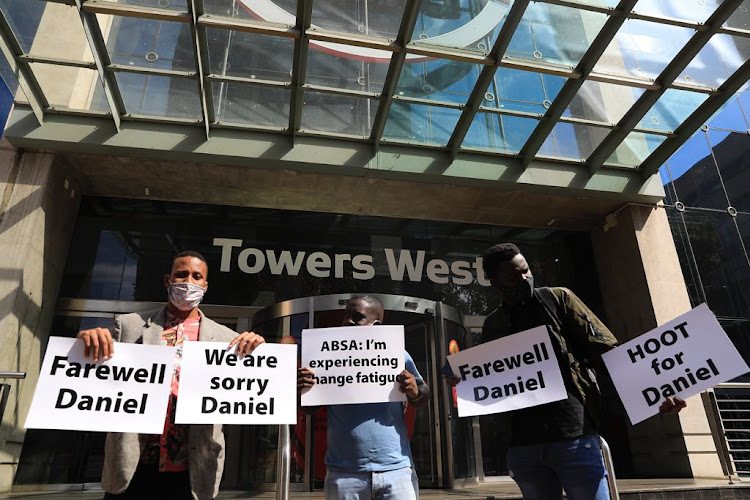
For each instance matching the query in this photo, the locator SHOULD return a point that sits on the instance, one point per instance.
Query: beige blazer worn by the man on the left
(122, 451)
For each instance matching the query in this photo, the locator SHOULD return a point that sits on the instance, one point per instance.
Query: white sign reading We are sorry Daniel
(219, 387)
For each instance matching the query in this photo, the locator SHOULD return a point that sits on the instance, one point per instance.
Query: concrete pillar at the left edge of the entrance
(38, 206)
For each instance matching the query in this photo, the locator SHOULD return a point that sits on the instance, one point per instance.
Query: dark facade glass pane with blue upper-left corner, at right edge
(732, 153)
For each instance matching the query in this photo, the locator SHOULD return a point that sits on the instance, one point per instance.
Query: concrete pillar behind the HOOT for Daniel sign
(643, 287)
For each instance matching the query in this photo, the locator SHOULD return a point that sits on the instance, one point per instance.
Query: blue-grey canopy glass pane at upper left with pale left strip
(146, 43)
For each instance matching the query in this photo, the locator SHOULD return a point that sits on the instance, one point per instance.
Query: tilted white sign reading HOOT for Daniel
(681, 358)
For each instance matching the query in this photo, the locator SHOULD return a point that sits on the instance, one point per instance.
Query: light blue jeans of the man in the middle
(399, 484)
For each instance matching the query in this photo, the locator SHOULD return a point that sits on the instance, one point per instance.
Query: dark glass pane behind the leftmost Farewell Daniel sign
(63, 457)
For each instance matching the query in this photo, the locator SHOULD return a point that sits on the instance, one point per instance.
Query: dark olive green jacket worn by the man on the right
(582, 336)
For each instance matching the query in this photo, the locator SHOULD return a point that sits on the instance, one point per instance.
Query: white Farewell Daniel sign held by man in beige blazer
(126, 393)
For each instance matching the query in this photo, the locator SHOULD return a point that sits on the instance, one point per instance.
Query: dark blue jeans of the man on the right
(543, 470)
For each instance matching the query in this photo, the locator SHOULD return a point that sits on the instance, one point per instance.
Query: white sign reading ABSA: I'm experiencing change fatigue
(353, 364)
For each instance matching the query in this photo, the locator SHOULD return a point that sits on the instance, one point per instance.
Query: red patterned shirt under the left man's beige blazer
(170, 449)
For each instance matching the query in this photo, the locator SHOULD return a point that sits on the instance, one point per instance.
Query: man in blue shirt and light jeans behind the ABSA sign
(369, 456)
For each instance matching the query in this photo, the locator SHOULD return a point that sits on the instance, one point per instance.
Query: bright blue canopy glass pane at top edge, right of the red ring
(555, 34)
